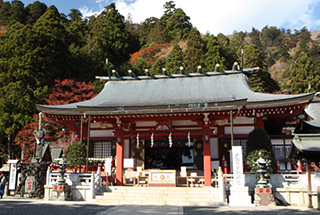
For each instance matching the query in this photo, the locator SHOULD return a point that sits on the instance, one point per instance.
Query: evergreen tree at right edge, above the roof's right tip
(303, 74)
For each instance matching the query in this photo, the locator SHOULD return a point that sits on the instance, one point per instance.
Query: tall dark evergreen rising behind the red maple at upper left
(52, 46)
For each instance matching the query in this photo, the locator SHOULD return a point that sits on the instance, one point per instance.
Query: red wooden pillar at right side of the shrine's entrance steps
(206, 157)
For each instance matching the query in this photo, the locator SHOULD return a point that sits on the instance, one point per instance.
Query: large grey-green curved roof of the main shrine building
(207, 92)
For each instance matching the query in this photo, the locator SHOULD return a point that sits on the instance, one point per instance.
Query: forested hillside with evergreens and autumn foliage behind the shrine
(41, 45)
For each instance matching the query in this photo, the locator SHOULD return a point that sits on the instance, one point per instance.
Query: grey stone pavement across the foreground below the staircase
(17, 205)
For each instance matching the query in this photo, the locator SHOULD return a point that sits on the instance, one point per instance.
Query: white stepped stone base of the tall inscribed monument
(239, 196)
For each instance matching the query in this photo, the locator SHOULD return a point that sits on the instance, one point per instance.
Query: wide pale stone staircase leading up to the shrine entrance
(183, 196)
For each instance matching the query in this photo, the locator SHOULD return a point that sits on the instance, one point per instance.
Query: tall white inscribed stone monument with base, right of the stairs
(239, 194)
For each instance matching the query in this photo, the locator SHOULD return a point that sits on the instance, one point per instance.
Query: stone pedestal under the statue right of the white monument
(264, 197)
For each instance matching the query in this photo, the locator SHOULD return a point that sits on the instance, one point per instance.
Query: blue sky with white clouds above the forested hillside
(213, 16)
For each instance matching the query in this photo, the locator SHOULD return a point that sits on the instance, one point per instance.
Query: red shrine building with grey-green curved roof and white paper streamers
(182, 120)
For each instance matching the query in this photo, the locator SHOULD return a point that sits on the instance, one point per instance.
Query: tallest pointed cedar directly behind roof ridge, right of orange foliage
(194, 55)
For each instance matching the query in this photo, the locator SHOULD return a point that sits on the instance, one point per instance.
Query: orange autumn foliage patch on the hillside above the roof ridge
(148, 54)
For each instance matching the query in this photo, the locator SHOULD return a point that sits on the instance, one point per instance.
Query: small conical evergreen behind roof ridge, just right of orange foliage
(174, 60)
